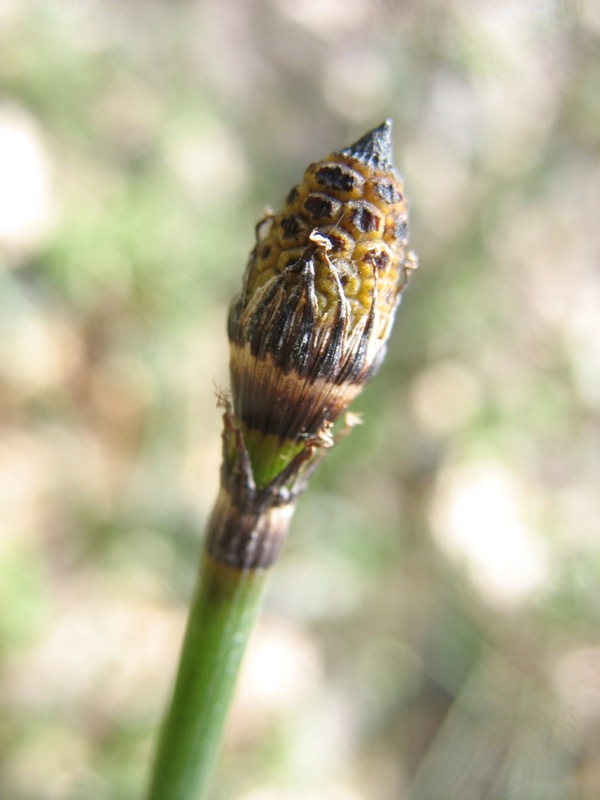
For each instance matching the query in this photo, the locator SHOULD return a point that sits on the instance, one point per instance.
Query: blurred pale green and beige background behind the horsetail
(432, 629)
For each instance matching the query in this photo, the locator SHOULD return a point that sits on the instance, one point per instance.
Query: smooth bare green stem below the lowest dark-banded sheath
(221, 618)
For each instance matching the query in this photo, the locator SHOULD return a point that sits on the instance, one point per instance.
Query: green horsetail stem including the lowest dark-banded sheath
(222, 615)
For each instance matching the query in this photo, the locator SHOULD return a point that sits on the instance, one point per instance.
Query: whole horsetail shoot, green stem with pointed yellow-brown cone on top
(308, 329)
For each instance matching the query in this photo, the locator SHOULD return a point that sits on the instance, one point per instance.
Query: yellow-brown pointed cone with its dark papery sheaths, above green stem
(308, 329)
